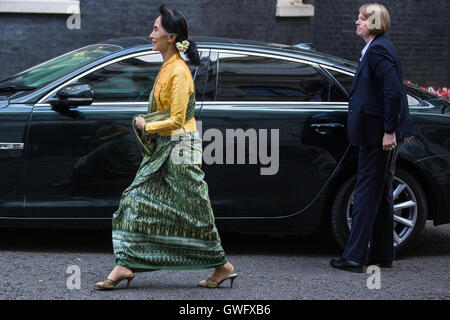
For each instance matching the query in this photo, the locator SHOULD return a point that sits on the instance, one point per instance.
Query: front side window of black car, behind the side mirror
(129, 80)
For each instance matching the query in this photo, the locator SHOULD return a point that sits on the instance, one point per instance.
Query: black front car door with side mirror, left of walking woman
(81, 159)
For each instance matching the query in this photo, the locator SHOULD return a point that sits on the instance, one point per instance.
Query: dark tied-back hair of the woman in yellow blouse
(175, 22)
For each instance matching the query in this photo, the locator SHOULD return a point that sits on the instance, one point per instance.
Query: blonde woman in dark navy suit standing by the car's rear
(378, 119)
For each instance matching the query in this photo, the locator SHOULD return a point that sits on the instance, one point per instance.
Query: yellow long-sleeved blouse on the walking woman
(172, 91)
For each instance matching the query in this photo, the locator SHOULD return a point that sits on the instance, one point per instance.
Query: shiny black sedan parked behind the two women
(273, 122)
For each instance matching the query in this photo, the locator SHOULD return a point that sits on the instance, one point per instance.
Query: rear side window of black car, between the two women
(255, 78)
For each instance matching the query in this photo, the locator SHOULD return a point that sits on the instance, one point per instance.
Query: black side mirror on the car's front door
(73, 95)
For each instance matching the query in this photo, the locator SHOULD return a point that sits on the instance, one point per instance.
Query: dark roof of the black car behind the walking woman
(230, 43)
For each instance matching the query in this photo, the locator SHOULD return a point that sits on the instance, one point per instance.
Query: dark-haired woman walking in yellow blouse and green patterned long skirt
(164, 219)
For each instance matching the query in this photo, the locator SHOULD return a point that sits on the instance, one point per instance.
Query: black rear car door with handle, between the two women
(278, 119)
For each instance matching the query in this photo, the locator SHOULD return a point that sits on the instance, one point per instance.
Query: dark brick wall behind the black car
(420, 30)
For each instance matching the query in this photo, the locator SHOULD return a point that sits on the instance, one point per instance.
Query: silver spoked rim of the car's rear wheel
(405, 211)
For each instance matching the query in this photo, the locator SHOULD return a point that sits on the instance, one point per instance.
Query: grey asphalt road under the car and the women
(34, 265)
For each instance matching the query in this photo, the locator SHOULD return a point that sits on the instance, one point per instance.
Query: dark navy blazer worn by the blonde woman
(378, 101)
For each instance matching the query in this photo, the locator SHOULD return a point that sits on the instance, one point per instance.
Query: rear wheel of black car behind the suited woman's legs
(410, 211)
